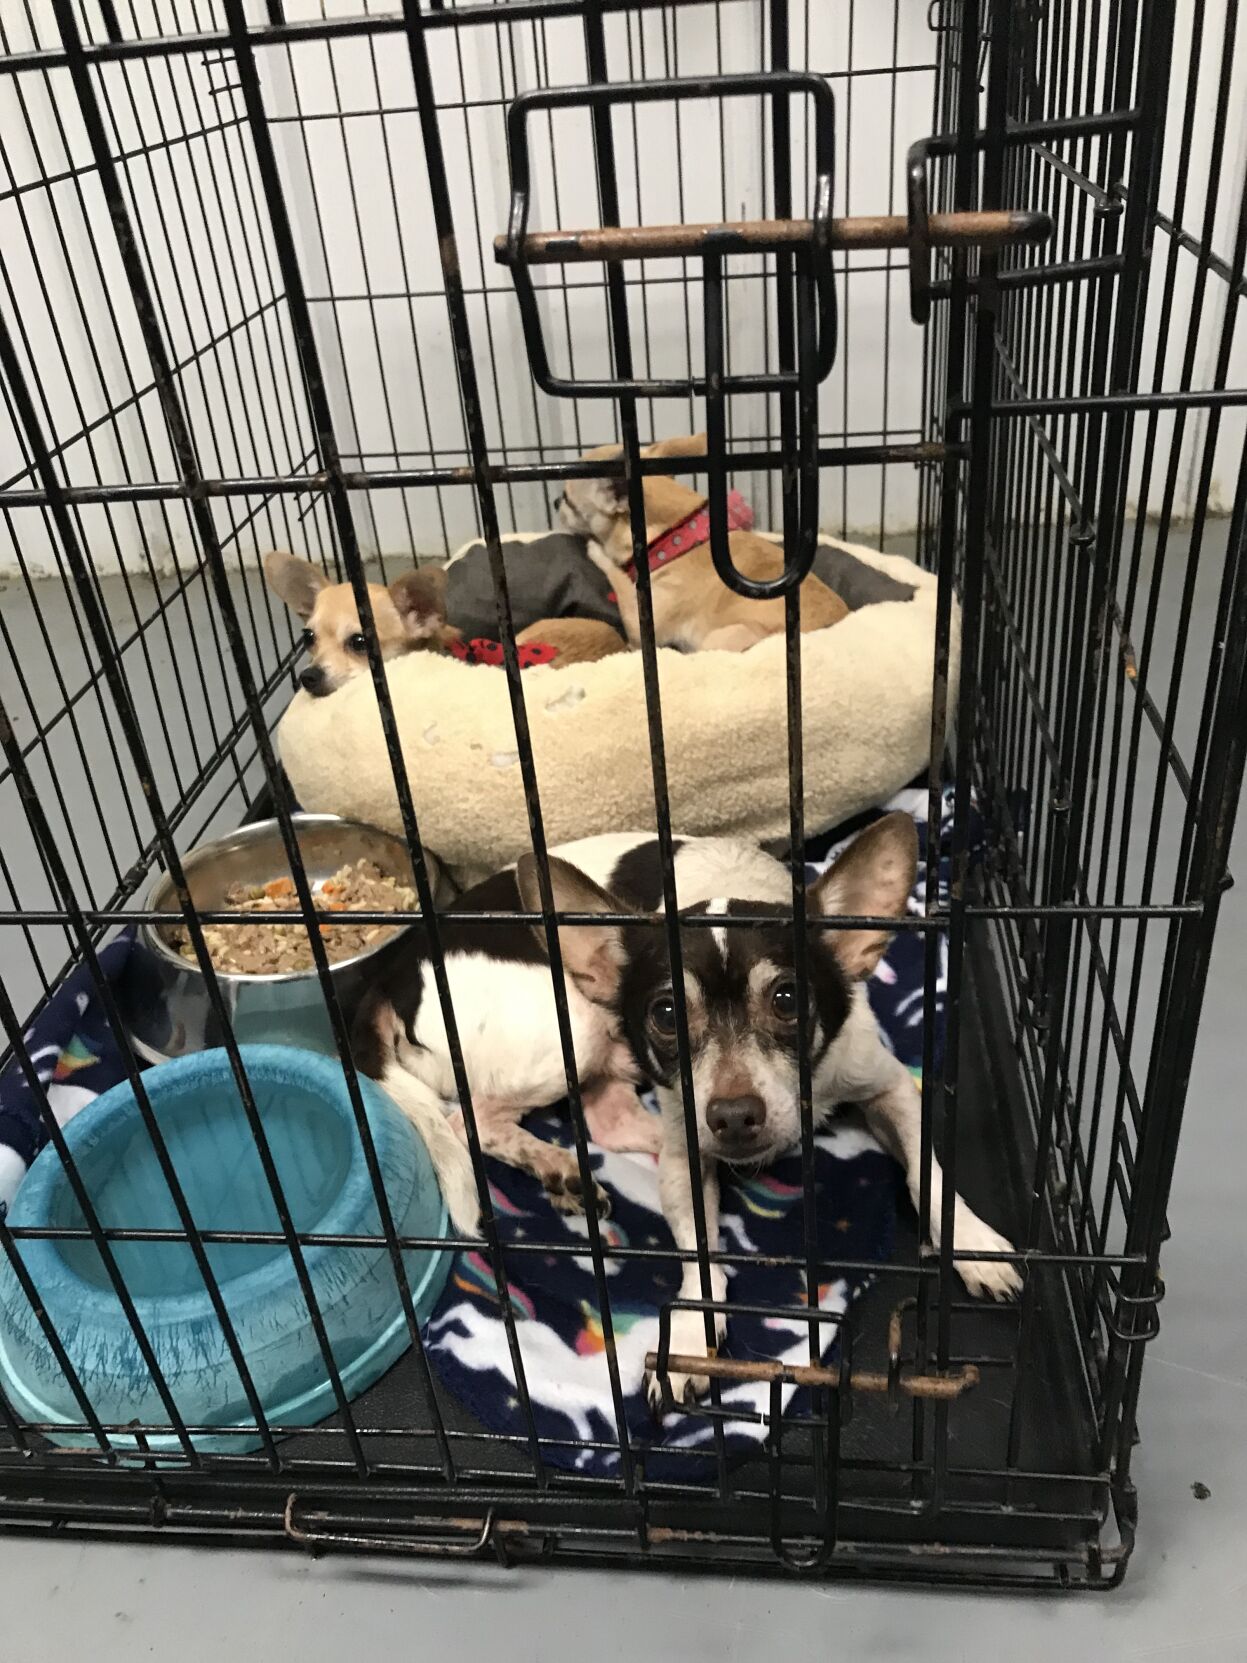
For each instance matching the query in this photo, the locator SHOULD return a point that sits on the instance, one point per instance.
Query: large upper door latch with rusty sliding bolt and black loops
(802, 250)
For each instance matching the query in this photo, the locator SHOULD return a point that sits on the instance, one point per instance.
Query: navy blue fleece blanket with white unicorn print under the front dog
(554, 1296)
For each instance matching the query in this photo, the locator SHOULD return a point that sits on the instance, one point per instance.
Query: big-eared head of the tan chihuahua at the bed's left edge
(408, 616)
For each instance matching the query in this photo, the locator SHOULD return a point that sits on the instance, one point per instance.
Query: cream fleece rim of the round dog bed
(867, 708)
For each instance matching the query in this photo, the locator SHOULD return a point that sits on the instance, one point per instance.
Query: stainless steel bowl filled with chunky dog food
(165, 997)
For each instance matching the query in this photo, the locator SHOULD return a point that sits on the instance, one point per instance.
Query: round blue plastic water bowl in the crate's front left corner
(320, 1162)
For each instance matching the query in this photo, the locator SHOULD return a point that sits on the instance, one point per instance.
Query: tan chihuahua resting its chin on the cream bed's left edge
(410, 616)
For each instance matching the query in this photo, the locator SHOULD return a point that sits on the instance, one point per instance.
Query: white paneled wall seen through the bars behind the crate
(358, 194)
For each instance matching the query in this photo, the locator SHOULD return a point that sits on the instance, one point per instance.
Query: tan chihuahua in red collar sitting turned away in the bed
(693, 606)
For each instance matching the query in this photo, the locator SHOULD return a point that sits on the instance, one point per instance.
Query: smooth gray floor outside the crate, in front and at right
(1186, 1592)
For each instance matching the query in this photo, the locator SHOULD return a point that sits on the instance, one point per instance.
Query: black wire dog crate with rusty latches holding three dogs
(247, 254)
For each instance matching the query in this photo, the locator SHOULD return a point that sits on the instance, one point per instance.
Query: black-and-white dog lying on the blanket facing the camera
(742, 1005)
